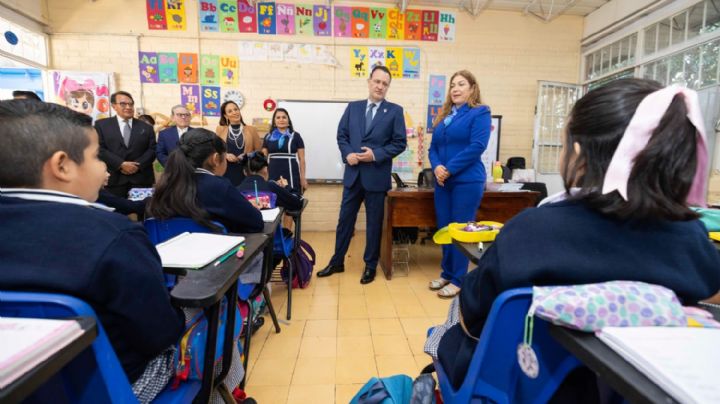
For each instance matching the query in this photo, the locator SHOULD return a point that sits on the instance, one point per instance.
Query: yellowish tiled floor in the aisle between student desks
(342, 333)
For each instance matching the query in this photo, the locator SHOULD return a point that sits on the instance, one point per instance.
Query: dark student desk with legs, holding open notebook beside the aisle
(205, 288)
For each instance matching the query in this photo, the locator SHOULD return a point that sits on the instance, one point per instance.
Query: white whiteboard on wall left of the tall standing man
(317, 123)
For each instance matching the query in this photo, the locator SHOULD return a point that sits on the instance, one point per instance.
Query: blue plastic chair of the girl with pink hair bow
(494, 374)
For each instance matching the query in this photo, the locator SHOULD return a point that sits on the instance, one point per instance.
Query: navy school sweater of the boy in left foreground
(62, 245)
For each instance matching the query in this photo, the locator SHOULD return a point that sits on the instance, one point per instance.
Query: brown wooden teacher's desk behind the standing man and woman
(415, 207)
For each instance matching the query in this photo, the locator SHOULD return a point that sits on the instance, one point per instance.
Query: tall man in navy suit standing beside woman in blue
(371, 132)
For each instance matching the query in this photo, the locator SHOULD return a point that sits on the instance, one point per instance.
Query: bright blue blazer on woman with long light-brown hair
(460, 145)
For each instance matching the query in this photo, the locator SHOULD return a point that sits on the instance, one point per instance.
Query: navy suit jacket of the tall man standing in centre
(386, 138)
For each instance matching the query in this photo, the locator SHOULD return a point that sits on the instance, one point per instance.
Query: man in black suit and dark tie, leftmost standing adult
(127, 146)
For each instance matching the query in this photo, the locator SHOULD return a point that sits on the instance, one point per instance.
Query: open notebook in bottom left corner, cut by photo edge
(26, 342)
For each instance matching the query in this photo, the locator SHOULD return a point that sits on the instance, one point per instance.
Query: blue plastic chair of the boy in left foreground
(94, 376)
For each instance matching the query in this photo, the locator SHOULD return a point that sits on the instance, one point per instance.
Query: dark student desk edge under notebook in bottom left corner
(37, 376)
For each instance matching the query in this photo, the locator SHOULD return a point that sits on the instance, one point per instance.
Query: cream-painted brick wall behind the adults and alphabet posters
(508, 52)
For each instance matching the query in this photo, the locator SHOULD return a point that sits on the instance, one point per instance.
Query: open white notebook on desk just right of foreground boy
(195, 250)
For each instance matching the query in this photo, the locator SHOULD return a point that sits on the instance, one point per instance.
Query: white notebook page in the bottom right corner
(681, 360)
